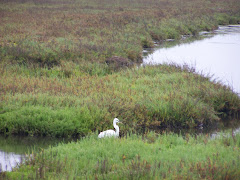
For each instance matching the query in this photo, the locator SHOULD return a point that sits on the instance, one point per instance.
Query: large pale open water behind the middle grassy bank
(217, 54)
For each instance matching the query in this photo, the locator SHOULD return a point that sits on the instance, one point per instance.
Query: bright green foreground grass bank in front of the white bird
(166, 156)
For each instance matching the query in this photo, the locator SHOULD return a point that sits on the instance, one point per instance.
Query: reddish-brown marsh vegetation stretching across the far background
(90, 31)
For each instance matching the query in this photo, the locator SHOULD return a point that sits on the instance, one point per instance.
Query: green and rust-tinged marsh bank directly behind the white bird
(40, 103)
